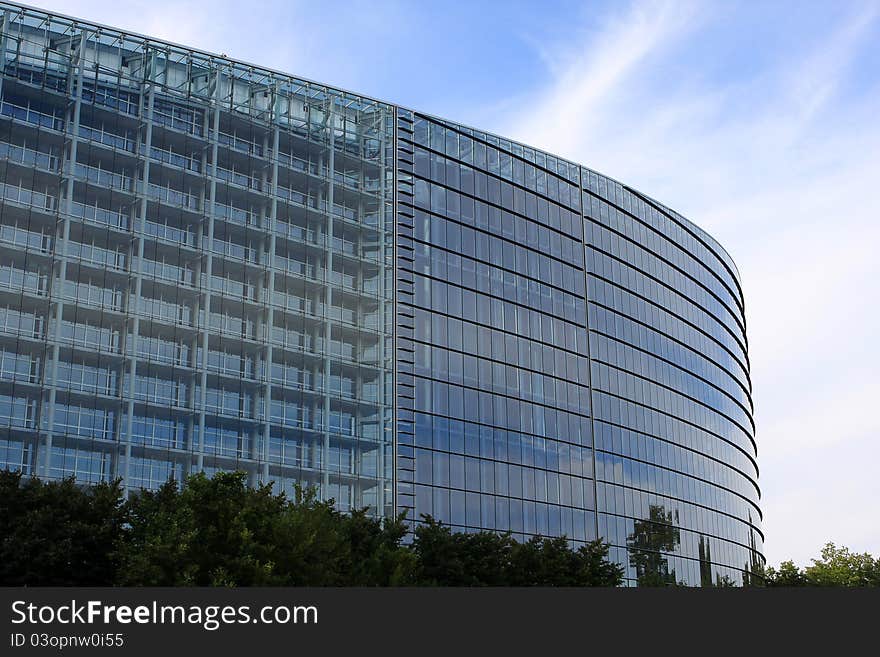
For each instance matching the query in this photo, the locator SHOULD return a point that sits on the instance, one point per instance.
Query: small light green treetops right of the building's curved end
(836, 567)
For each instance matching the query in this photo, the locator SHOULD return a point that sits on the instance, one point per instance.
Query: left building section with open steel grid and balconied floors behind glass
(196, 267)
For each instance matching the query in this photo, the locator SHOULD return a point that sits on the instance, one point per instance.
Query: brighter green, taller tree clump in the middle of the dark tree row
(221, 532)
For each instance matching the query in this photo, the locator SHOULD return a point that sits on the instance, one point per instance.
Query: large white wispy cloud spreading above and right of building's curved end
(781, 165)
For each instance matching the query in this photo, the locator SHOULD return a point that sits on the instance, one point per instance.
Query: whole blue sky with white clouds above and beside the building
(757, 120)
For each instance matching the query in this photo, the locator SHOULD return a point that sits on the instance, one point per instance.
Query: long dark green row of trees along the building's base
(219, 531)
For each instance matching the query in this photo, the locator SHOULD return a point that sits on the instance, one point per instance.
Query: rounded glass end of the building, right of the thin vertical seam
(675, 452)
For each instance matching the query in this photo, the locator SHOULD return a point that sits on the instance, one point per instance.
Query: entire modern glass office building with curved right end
(209, 265)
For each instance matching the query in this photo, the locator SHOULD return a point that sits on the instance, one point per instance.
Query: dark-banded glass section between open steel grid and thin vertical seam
(495, 406)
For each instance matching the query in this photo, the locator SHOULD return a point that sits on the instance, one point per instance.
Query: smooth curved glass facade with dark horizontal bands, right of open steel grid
(573, 360)
